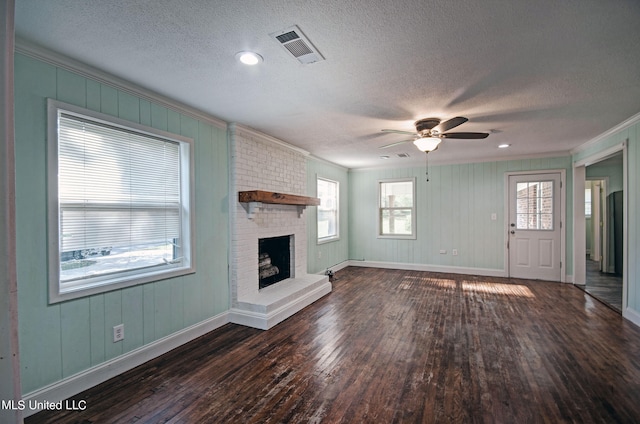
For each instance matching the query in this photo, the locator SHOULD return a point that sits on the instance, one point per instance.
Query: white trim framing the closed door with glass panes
(563, 216)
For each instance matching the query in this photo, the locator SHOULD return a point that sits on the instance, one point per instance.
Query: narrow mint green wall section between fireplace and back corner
(325, 255)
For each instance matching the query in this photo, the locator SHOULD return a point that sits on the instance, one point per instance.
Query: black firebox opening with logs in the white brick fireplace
(274, 260)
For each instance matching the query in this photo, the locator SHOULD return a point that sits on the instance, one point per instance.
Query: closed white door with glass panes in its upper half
(535, 226)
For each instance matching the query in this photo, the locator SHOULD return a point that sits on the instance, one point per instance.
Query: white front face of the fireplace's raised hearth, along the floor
(266, 320)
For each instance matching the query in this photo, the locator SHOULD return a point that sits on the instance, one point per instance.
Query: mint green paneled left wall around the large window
(57, 341)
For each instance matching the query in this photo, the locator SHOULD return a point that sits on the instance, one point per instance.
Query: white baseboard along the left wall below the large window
(93, 376)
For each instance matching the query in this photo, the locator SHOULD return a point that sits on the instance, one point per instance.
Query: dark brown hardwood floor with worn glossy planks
(395, 346)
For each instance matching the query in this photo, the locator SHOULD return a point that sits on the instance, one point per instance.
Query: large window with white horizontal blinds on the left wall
(119, 203)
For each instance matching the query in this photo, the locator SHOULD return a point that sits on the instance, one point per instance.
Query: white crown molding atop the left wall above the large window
(56, 59)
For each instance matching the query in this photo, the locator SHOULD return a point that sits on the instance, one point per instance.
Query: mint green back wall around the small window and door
(453, 212)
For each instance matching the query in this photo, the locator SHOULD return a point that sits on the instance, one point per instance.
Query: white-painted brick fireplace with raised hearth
(260, 162)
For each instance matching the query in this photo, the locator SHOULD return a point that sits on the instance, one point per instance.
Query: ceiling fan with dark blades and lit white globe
(430, 132)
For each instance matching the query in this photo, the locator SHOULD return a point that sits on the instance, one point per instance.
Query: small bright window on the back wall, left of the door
(397, 214)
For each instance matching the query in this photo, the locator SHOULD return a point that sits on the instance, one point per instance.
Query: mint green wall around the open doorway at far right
(632, 136)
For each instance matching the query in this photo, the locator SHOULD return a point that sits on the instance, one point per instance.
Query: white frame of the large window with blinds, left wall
(89, 286)
